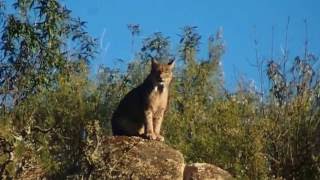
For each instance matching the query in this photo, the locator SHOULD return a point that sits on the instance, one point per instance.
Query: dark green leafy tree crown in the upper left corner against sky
(40, 41)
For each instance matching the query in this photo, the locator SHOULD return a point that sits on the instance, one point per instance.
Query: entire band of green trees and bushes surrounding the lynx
(51, 111)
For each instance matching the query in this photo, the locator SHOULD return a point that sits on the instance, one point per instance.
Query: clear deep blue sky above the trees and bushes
(242, 22)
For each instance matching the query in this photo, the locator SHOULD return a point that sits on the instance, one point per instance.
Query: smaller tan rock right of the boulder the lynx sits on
(205, 171)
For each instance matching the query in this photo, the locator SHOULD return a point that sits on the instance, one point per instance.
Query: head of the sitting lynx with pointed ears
(161, 74)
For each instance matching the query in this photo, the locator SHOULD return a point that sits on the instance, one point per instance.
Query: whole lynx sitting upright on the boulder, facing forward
(140, 112)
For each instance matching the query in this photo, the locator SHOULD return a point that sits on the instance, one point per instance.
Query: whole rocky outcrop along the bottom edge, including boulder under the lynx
(136, 158)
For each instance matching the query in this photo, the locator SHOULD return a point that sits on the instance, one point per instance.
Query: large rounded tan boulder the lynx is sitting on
(136, 158)
